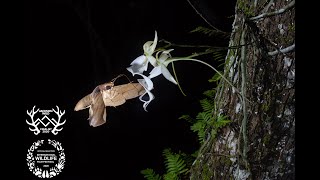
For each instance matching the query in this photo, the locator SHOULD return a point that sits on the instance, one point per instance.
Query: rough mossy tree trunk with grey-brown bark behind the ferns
(260, 141)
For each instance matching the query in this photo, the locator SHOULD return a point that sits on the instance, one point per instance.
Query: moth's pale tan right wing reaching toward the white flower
(119, 94)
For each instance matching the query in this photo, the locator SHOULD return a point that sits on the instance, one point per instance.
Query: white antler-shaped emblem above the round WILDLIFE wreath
(35, 123)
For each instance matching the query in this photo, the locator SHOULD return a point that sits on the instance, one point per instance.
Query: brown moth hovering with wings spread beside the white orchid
(107, 94)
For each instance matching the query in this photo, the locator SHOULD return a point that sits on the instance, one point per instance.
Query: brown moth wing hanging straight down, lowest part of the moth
(97, 111)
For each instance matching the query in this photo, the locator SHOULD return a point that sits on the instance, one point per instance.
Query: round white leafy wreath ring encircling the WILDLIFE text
(53, 171)
